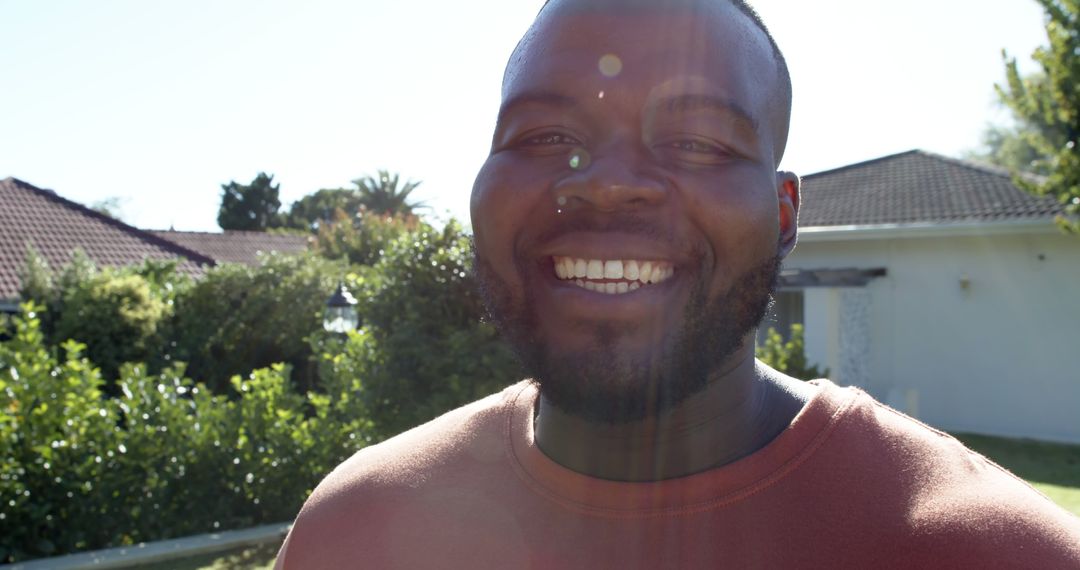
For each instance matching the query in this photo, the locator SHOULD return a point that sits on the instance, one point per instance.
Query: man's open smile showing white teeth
(613, 277)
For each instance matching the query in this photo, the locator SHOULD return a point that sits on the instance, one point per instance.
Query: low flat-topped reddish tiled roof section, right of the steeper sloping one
(237, 247)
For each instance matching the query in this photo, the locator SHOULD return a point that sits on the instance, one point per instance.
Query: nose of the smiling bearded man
(615, 181)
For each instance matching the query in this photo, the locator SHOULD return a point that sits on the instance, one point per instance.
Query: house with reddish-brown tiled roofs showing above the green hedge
(57, 227)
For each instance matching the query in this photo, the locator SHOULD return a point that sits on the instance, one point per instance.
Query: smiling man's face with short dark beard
(629, 220)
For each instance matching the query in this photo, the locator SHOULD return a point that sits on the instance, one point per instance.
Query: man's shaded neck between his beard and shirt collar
(745, 408)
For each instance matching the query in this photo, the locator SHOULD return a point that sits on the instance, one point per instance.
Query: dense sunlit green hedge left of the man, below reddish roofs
(100, 456)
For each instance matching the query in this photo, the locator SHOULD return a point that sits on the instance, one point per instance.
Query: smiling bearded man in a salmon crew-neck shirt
(629, 225)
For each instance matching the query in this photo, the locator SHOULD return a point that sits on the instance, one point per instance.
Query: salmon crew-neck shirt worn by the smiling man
(849, 484)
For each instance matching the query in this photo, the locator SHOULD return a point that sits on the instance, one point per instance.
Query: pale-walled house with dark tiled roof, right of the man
(943, 290)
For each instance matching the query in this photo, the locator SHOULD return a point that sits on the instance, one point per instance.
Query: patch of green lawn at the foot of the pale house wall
(1054, 469)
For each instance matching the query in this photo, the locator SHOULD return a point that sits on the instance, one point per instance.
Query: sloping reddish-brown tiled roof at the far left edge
(57, 227)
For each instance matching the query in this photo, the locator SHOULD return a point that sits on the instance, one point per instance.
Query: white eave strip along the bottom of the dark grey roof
(883, 232)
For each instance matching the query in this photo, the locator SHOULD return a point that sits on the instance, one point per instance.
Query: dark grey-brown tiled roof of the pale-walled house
(917, 187)
